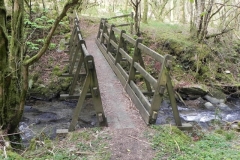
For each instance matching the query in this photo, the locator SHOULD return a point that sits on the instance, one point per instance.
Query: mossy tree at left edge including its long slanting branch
(14, 64)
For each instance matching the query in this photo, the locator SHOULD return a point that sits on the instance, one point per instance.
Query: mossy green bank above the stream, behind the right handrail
(213, 62)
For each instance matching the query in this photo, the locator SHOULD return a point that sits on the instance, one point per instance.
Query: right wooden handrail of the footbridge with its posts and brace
(115, 51)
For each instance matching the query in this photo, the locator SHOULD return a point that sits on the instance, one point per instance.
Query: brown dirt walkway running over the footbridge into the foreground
(126, 126)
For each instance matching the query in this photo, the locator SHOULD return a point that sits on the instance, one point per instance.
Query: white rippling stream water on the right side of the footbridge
(200, 115)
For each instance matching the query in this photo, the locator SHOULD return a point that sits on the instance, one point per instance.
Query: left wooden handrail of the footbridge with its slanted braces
(79, 60)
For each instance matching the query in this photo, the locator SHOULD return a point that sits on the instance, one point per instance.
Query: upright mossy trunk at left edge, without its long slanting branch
(13, 74)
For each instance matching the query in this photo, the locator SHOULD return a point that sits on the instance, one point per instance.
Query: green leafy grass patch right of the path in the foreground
(171, 143)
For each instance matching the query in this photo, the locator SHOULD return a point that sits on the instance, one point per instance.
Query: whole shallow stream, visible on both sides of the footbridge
(44, 117)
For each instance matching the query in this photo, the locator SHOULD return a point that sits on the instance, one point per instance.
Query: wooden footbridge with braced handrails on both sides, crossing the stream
(124, 54)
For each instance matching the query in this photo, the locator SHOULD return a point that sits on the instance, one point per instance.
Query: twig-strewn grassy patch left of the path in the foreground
(82, 145)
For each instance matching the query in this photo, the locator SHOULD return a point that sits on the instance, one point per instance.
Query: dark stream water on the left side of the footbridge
(42, 117)
